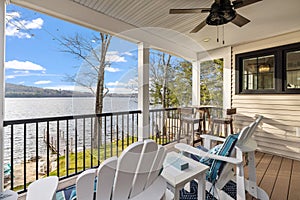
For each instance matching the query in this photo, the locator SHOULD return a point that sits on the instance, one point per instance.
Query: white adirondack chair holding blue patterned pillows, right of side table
(244, 144)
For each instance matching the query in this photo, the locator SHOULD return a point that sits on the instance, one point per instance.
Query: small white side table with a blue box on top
(177, 178)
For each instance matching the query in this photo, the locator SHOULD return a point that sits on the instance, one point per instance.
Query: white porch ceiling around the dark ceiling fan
(149, 21)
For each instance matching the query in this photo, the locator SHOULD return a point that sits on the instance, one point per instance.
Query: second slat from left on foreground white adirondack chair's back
(106, 176)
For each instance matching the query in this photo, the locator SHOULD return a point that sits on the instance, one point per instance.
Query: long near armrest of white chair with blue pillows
(192, 150)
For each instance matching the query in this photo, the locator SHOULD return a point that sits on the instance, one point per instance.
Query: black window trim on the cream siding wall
(280, 54)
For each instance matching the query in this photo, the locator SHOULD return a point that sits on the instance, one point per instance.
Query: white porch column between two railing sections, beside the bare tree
(143, 91)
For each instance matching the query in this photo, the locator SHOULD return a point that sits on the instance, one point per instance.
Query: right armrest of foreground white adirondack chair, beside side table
(155, 191)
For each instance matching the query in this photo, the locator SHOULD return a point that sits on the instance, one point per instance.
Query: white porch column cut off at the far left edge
(2, 83)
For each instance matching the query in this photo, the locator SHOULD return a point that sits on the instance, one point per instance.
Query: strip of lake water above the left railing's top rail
(25, 108)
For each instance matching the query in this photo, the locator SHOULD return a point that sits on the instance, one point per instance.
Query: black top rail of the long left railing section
(48, 119)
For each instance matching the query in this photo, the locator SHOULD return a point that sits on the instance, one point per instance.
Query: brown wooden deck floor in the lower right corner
(278, 176)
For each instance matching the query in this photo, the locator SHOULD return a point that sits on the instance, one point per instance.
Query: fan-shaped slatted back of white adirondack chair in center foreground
(134, 175)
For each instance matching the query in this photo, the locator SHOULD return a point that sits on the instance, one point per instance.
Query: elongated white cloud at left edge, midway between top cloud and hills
(23, 65)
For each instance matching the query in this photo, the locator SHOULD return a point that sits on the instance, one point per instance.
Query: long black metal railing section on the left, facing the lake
(70, 144)
